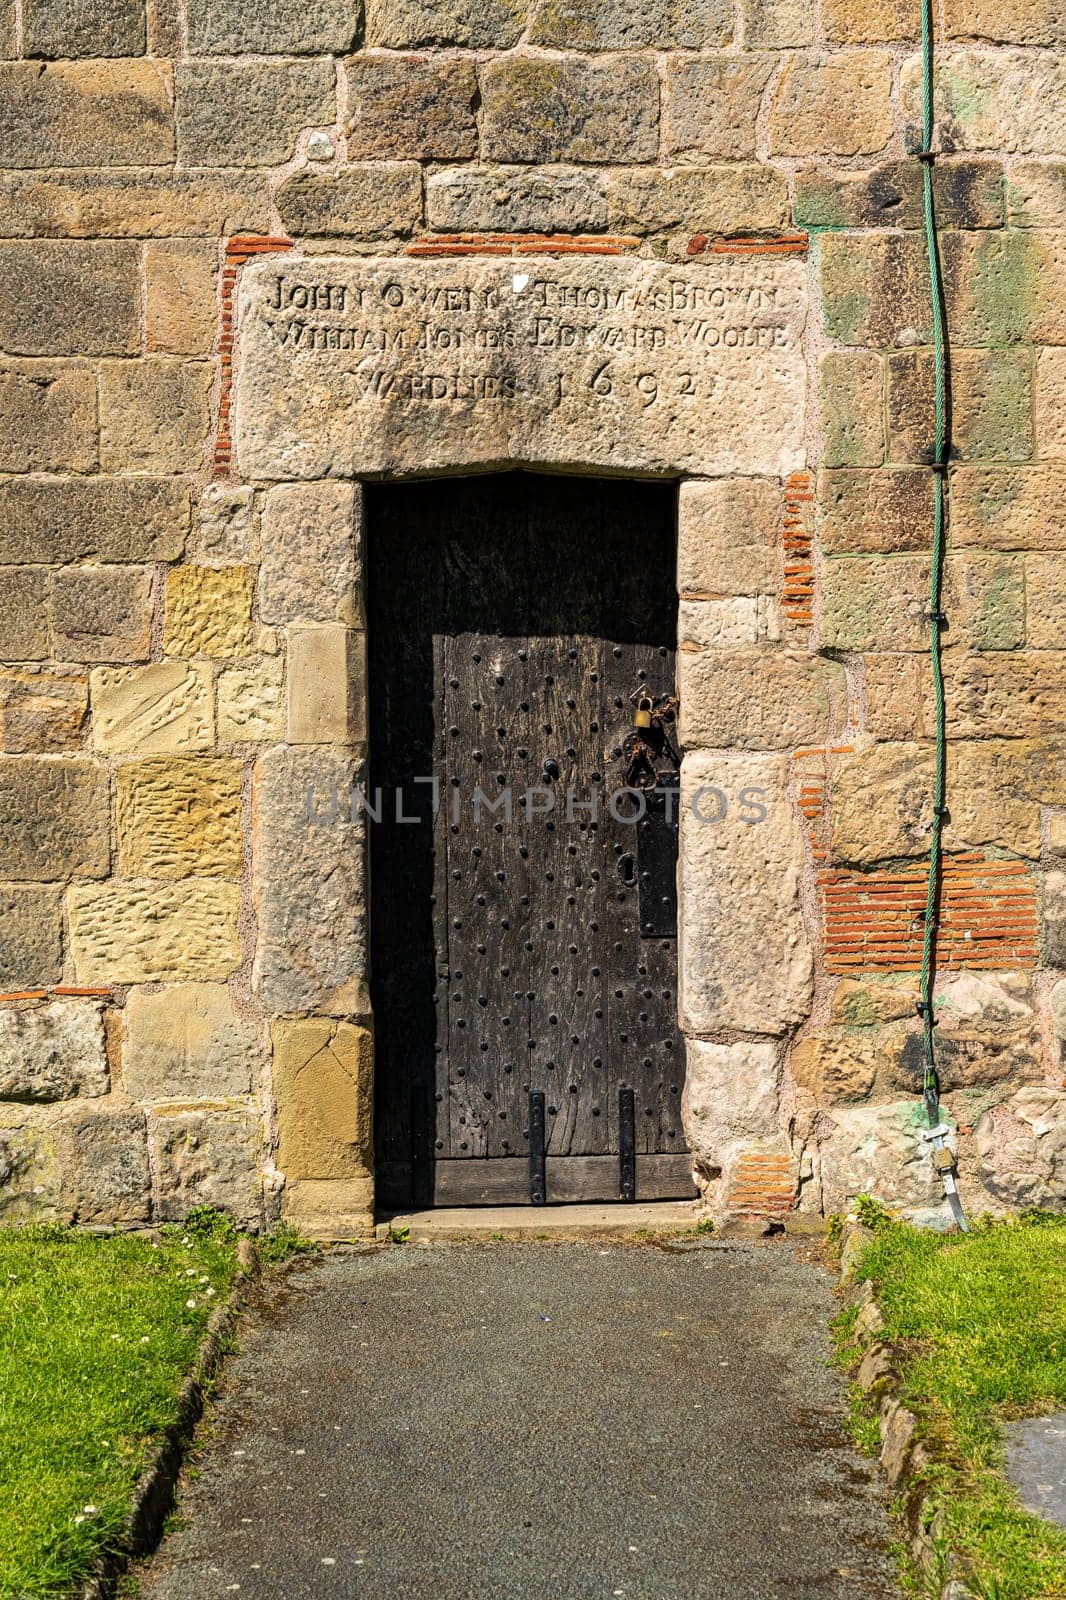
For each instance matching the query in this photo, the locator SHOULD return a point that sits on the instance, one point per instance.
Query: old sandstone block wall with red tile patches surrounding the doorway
(183, 959)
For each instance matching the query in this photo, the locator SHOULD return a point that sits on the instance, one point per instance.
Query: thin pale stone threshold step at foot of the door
(542, 1222)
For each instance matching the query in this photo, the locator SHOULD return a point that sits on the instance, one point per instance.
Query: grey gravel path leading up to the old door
(537, 1422)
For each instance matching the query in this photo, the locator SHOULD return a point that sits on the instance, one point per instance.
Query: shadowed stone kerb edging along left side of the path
(154, 1494)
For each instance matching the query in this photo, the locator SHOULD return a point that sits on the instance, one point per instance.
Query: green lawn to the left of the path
(97, 1337)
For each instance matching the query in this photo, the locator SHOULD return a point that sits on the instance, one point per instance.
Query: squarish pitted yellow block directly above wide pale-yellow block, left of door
(178, 818)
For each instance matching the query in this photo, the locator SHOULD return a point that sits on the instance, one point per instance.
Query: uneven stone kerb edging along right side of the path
(905, 1460)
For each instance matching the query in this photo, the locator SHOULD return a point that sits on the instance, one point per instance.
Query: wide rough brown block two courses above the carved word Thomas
(571, 110)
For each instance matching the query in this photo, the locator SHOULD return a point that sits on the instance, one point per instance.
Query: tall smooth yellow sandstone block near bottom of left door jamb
(324, 1081)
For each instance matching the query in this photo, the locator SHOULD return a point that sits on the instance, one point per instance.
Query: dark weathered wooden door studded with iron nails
(511, 620)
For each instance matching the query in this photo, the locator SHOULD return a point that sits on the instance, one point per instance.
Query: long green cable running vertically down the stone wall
(931, 1086)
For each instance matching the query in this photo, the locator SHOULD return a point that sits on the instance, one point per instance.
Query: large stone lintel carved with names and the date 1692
(361, 369)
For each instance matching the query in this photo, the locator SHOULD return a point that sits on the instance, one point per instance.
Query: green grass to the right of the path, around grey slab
(980, 1327)
